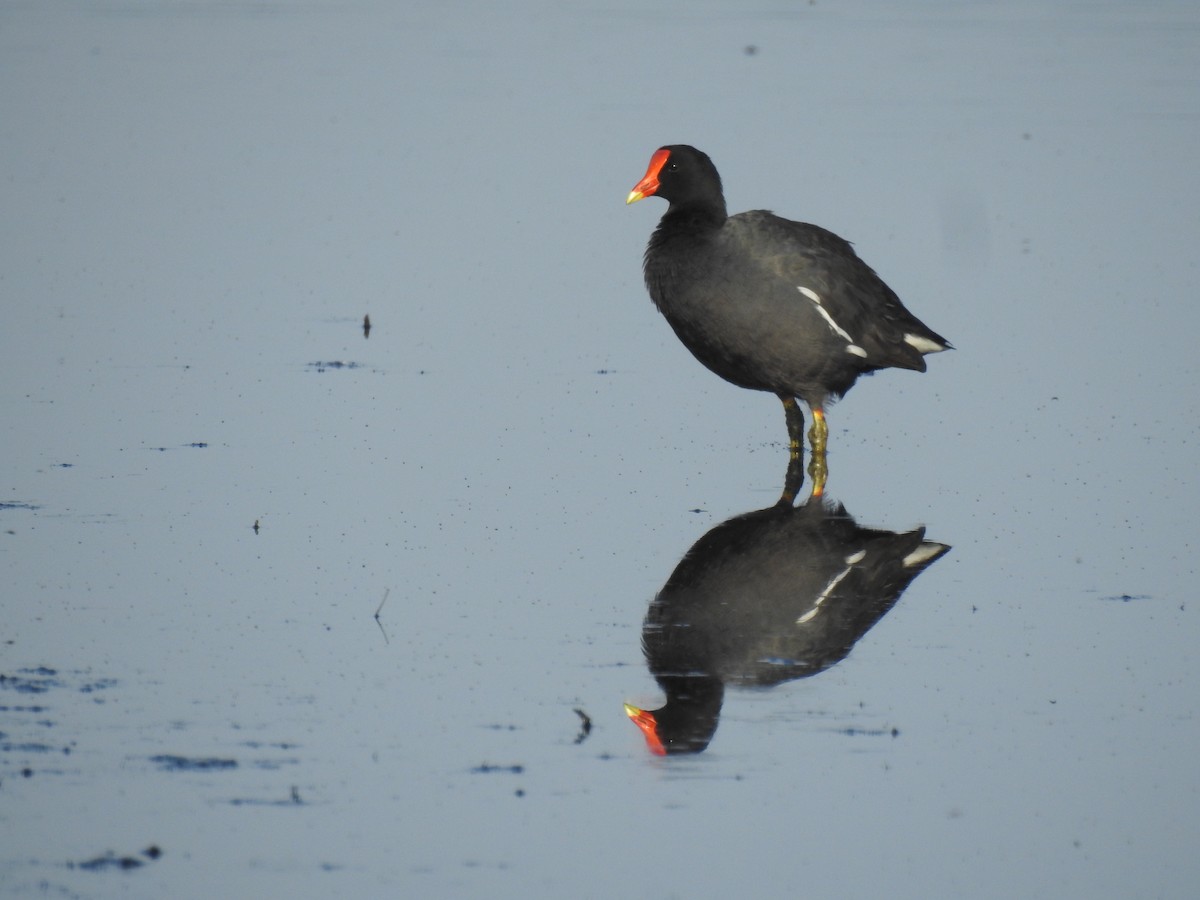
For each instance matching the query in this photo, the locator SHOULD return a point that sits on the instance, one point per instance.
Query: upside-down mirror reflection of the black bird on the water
(766, 598)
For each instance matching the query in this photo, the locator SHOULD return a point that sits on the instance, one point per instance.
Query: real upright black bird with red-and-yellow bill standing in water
(770, 304)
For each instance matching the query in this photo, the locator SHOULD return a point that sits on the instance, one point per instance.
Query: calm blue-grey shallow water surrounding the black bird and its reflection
(293, 611)
